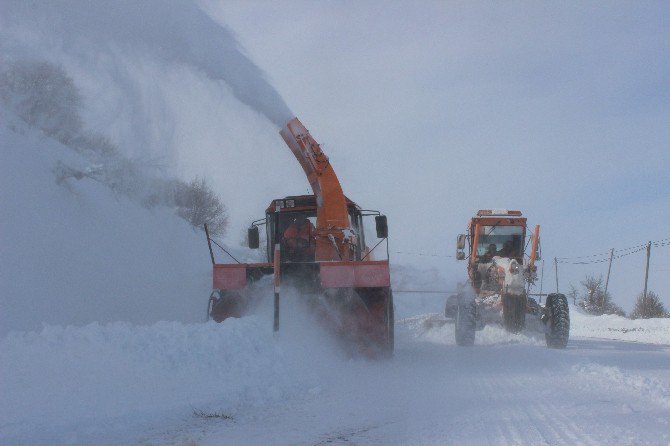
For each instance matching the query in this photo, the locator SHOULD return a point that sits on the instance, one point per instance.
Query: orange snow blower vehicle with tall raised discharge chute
(316, 246)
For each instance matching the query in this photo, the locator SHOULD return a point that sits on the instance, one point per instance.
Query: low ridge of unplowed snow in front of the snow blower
(80, 379)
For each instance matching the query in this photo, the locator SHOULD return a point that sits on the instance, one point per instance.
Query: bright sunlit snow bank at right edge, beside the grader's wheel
(610, 326)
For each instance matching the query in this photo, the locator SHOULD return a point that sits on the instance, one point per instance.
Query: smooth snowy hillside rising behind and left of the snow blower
(79, 252)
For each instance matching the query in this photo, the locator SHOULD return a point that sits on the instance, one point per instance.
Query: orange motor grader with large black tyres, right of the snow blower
(500, 273)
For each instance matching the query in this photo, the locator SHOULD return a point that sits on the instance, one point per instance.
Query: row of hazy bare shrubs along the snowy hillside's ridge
(44, 97)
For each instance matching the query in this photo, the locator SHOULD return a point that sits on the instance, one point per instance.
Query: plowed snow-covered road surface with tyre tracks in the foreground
(595, 392)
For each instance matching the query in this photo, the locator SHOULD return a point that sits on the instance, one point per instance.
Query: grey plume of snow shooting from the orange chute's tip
(173, 32)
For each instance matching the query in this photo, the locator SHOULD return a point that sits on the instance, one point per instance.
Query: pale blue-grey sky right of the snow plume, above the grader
(432, 110)
